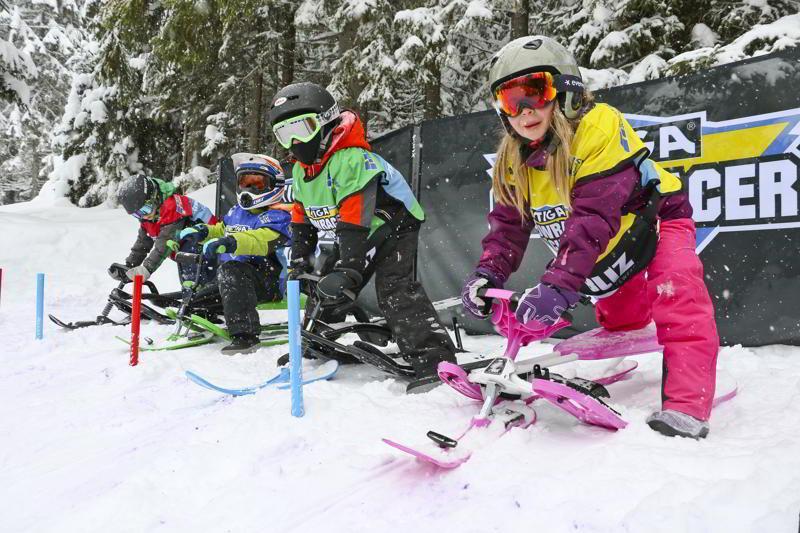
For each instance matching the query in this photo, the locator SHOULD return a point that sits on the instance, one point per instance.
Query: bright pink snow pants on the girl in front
(672, 292)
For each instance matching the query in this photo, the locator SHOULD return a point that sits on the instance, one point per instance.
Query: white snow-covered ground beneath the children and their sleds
(88, 443)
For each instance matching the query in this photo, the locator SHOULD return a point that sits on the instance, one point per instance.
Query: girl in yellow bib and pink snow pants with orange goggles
(619, 224)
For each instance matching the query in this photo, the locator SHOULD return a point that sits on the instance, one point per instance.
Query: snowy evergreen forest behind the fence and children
(93, 91)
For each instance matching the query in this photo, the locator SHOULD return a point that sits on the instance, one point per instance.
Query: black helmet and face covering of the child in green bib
(301, 98)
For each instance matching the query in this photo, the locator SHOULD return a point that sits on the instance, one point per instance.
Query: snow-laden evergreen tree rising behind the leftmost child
(109, 131)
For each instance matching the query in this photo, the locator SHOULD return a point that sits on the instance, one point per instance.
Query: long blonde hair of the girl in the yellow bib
(510, 175)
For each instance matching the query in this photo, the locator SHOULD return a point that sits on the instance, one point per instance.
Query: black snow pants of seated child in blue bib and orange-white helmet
(242, 287)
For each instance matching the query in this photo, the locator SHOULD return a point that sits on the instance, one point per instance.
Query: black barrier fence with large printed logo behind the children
(732, 134)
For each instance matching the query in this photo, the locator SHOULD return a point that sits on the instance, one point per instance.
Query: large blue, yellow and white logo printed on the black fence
(740, 174)
